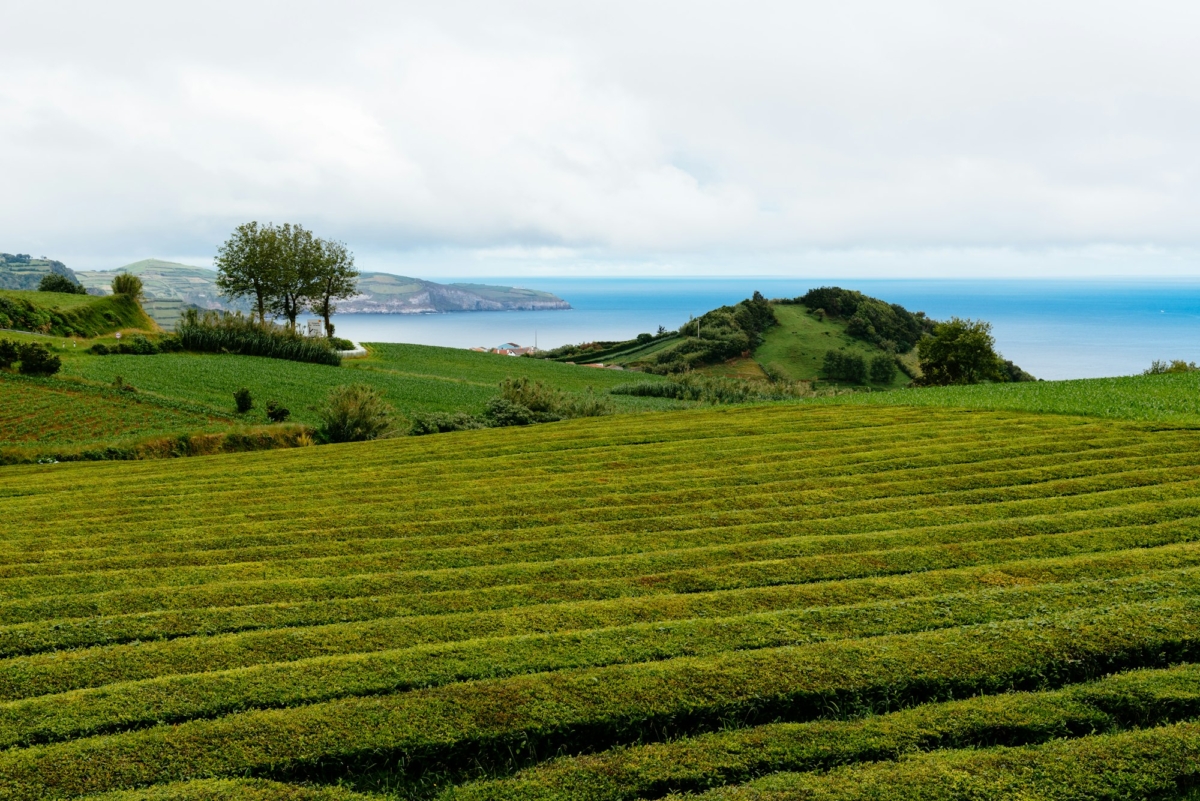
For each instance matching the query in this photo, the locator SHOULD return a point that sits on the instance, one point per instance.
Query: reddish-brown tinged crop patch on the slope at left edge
(50, 413)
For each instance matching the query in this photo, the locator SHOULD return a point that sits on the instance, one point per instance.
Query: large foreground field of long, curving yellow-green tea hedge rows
(773, 603)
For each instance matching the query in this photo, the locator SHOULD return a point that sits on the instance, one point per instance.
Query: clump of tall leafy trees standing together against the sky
(286, 269)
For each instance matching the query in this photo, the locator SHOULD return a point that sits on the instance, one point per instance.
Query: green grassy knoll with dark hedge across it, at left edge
(69, 315)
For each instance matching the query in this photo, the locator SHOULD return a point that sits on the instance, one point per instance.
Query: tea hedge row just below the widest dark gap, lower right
(710, 761)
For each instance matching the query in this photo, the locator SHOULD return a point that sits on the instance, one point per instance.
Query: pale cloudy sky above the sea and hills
(856, 138)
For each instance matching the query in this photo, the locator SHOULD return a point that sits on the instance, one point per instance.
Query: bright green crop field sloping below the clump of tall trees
(412, 378)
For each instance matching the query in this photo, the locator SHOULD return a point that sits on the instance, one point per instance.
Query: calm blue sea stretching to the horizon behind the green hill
(1053, 329)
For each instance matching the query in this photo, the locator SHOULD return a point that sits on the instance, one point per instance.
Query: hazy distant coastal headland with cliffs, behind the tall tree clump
(380, 292)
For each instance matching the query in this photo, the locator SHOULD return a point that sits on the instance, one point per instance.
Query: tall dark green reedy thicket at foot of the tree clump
(237, 334)
